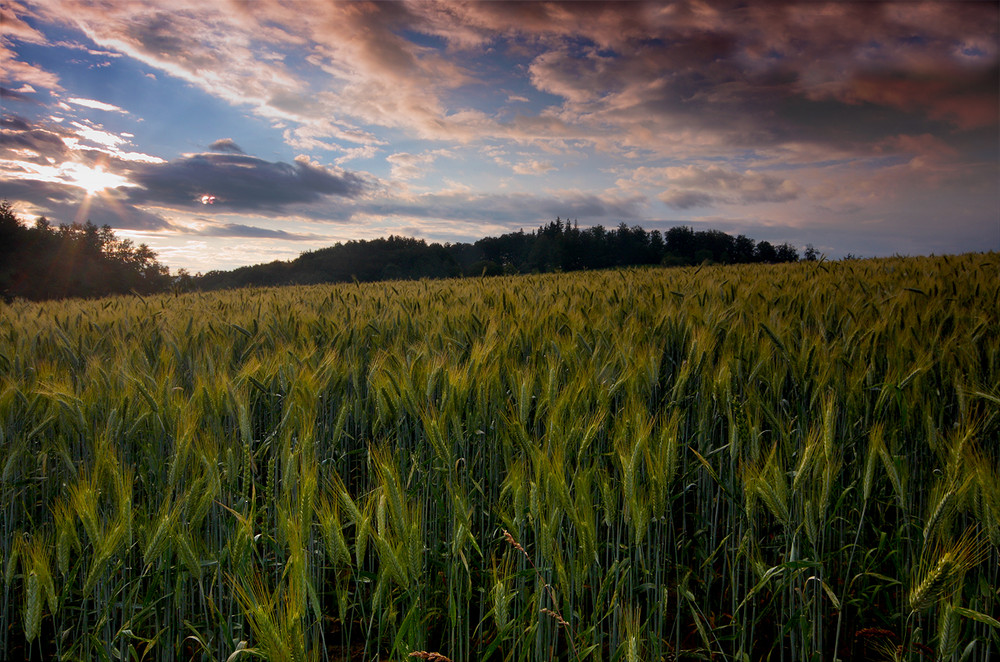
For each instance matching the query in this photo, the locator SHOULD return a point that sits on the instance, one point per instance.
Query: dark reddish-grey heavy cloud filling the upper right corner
(707, 80)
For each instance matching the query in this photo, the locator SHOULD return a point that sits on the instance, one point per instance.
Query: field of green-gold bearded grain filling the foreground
(793, 463)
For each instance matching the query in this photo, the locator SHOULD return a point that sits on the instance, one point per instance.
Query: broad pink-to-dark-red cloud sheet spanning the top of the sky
(676, 78)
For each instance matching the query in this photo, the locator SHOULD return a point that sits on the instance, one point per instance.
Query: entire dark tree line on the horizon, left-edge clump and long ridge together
(83, 260)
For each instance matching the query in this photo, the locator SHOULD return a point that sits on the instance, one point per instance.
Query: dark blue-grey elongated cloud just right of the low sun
(240, 182)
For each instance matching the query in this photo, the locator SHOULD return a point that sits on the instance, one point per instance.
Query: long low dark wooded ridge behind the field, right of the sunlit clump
(557, 246)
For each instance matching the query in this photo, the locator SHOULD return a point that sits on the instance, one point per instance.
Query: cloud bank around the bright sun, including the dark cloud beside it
(43, 163)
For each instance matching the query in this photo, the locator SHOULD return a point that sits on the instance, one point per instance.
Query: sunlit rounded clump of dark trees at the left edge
(77, 260)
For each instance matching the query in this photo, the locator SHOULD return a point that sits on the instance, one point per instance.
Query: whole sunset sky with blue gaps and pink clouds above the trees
(230, 132)
